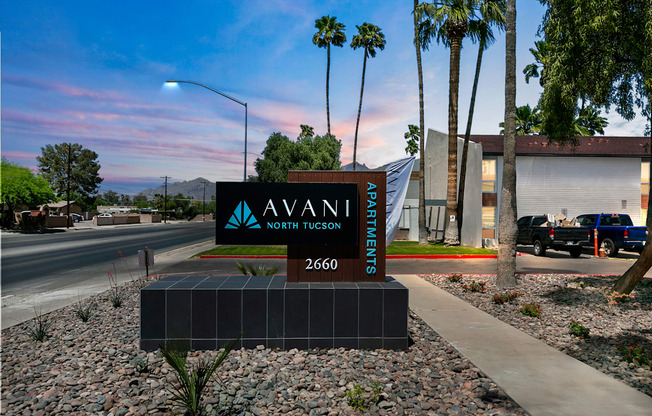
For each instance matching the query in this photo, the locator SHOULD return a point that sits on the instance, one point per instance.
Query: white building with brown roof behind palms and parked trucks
(600, 174)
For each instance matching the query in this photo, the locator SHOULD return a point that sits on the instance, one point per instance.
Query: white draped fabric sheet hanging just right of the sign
(398, 178)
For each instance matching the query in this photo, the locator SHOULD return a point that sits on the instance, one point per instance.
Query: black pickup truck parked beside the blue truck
(534, 230)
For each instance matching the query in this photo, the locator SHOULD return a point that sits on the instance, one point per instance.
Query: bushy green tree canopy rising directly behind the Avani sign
(306, 153)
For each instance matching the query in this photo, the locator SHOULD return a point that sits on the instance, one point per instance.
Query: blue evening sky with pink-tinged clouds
(94, 73)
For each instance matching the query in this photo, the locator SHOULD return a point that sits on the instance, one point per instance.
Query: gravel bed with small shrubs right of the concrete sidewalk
(564, 298)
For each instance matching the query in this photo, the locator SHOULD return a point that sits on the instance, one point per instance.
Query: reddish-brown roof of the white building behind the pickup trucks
(492, 145)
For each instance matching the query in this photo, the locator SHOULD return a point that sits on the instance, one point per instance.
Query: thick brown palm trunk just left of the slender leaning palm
(452, 237)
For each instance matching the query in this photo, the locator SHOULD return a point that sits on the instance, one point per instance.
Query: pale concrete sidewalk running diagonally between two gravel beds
(538, 377)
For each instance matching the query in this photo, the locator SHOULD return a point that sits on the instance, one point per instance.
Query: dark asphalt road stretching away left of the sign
(34, 262)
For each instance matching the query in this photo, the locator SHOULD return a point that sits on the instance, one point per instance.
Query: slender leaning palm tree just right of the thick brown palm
(492, 13)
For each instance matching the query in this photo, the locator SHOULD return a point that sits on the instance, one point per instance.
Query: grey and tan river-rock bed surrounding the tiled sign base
(95, 367)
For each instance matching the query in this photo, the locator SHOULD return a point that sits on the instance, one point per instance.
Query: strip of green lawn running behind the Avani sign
(397, 247)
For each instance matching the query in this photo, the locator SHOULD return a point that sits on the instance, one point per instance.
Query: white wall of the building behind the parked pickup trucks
(580, 185)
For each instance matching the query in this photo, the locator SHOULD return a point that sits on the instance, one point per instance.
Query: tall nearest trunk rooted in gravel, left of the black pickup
(507, 229)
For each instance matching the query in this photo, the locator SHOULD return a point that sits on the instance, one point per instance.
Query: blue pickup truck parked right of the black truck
(616, 231)
